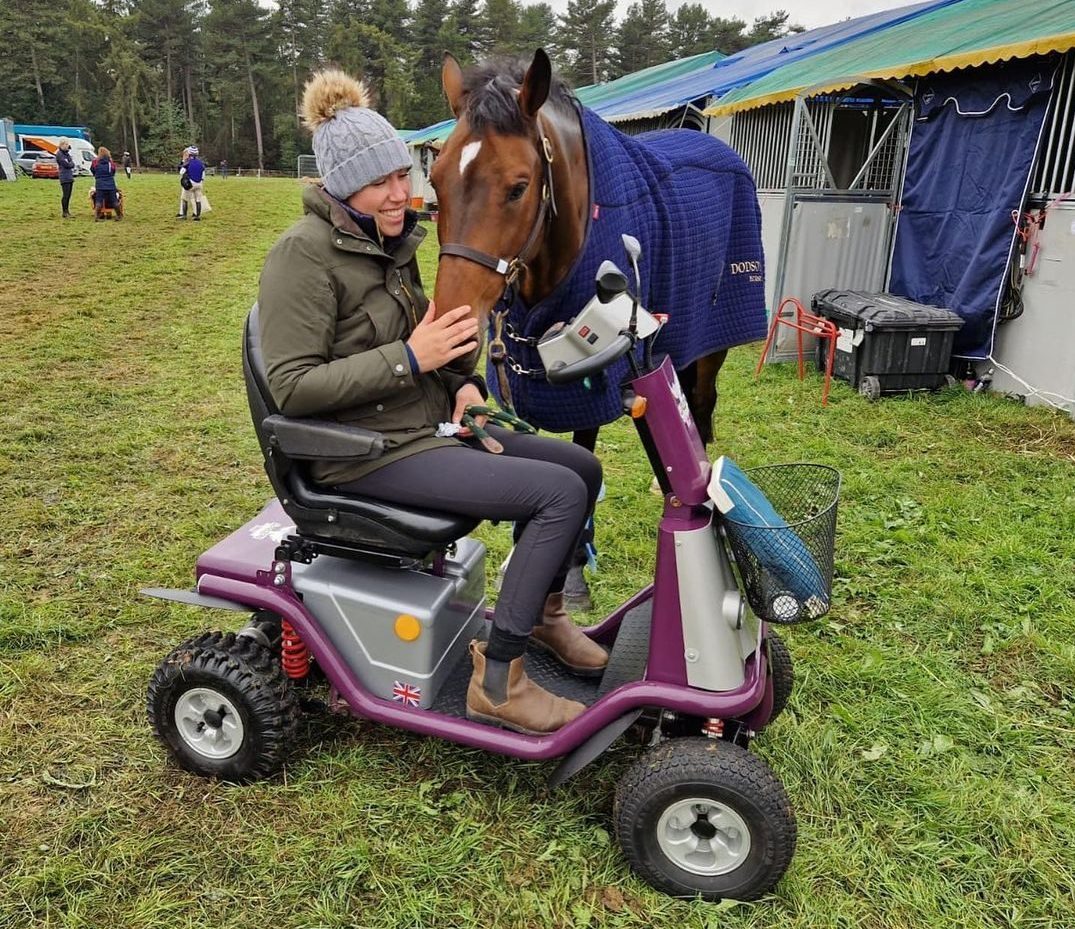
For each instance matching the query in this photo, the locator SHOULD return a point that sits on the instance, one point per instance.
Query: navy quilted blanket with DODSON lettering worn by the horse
(692, 203)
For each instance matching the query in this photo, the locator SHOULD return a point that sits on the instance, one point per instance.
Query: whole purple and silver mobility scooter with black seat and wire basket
(386, 599)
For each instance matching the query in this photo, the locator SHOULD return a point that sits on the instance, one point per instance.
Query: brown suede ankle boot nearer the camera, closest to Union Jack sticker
(501, 694)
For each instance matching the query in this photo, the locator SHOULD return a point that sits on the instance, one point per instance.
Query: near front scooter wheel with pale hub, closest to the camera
(700, 818)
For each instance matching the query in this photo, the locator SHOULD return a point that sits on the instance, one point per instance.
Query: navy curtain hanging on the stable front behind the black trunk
(972, 149)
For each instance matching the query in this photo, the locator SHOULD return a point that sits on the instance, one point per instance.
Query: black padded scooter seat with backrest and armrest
(323, 513)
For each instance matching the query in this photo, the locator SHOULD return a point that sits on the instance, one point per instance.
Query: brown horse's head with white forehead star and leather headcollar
(495, 183)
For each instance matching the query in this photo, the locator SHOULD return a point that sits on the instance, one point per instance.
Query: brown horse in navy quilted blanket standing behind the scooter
(534, 191)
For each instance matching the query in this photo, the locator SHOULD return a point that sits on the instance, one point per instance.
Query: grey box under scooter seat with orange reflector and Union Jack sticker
(400, 631)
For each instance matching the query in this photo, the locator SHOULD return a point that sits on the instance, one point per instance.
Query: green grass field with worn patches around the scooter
(928, 749)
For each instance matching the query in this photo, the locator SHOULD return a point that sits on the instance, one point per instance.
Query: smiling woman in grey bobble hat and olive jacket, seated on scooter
(347, 333)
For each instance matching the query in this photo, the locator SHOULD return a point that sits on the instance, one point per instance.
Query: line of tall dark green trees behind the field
(152, 76)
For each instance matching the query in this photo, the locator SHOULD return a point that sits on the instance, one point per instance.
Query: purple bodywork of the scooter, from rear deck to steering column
(242, 569)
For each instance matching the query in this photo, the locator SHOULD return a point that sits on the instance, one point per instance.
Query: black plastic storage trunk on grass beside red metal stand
(887, 342)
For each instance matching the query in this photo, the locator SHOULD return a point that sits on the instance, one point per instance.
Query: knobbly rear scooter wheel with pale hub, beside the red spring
(224, 709)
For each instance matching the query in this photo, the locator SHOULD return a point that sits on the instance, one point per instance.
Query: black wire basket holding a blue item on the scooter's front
(787, 569)
